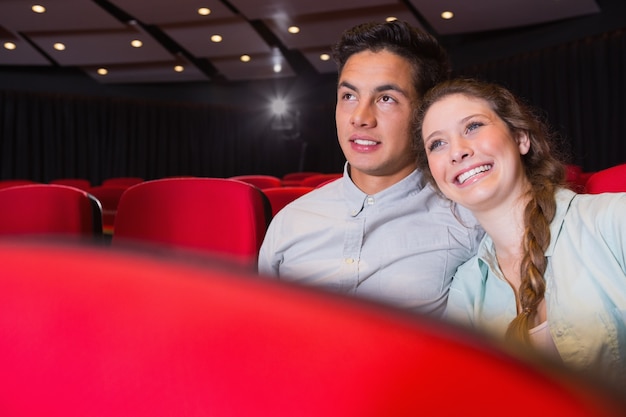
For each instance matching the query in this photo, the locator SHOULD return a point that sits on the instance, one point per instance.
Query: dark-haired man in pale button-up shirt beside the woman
(379, 232)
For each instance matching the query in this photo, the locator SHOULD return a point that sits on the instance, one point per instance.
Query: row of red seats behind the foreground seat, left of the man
(219, 216)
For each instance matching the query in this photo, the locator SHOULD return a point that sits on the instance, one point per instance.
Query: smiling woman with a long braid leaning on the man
(551, 270)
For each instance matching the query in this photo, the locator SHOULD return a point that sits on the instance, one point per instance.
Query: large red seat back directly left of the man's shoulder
(214, 215)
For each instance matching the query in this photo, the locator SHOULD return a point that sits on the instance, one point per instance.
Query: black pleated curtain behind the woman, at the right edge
(580, 87)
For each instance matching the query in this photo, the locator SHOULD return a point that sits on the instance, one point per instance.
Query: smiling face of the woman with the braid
(473, 156)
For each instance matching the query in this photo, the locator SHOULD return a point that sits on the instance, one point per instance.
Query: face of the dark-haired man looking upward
(375, 101)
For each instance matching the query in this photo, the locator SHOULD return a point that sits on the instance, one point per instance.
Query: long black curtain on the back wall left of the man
(47, 136)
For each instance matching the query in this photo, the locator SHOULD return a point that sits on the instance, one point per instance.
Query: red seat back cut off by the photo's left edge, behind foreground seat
(48, 209)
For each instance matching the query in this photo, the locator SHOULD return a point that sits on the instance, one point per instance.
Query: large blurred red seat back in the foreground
(100, 332)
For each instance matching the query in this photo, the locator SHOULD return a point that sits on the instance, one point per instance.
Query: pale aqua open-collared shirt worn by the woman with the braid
(585, 284)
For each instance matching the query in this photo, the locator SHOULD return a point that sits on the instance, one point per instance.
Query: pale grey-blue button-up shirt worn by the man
(400, 246)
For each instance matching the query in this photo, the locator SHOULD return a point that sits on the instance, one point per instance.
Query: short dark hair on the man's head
(429, 61)
